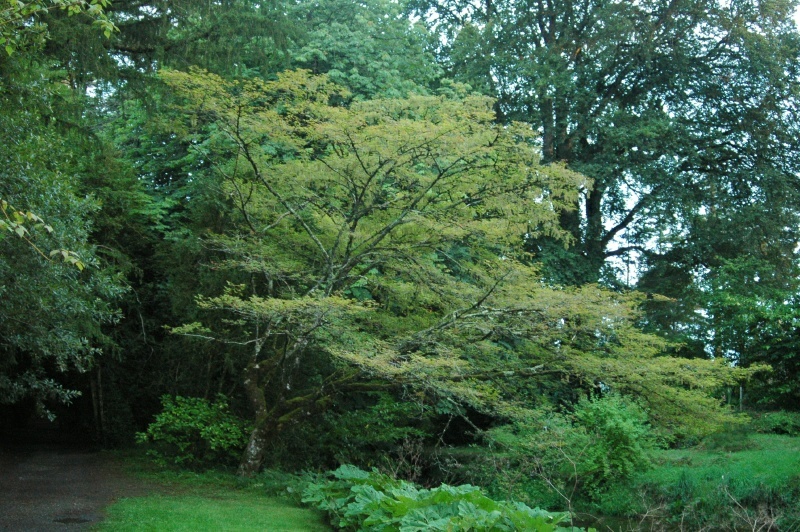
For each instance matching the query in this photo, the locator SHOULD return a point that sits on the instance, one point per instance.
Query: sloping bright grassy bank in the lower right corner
(733, 481)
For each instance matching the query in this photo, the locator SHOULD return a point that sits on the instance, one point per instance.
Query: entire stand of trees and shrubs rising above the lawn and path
(476, 229)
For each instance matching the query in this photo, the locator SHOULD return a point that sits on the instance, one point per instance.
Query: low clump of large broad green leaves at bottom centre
(357, 500)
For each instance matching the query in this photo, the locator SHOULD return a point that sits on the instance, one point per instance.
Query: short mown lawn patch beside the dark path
(235, 510)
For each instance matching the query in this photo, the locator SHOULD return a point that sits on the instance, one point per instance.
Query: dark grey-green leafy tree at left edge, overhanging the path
(52, 311)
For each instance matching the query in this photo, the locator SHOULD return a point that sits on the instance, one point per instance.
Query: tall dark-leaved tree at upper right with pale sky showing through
(672, 107)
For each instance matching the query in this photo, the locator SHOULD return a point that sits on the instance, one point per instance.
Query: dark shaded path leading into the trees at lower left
(58, 487)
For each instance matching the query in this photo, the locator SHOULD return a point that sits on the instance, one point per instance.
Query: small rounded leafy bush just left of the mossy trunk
(194, 432)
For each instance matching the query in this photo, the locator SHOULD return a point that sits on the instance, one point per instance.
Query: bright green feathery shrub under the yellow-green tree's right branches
(565, 458)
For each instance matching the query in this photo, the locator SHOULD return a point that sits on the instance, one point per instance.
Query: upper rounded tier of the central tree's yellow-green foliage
(389, 183)
